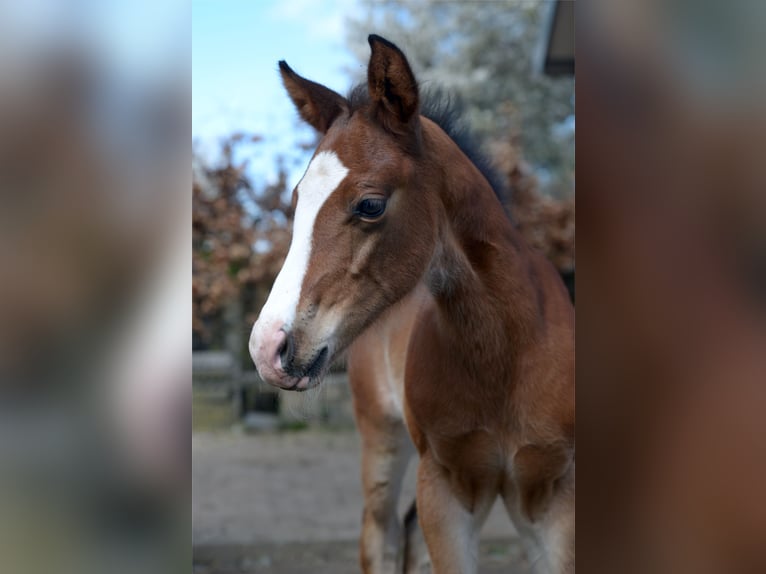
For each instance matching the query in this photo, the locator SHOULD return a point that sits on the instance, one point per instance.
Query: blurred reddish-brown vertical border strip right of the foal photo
(671, 332)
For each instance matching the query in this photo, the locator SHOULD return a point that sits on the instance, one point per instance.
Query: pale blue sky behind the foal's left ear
(236, 86)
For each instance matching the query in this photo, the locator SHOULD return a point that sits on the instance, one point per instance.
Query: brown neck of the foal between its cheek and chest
(481, 273)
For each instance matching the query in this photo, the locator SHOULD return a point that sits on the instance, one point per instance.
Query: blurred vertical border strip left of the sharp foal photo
(94, 299)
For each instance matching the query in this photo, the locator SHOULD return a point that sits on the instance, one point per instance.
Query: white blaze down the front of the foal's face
(322, 177)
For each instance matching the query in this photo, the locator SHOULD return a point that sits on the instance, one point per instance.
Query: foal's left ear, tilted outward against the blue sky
(316, 104)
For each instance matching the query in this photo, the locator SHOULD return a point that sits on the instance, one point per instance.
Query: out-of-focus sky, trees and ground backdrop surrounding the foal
(270, 469)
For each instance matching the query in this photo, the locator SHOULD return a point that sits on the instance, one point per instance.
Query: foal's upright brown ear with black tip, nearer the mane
(390, 81)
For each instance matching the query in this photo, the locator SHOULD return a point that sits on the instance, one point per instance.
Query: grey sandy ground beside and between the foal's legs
(291, 503)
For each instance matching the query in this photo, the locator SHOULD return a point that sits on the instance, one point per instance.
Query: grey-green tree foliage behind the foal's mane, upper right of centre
(484, 53)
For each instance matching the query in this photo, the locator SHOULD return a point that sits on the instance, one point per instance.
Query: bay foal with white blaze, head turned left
(459, 337)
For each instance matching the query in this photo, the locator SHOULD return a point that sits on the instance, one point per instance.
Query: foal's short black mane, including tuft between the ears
(442, 109)
